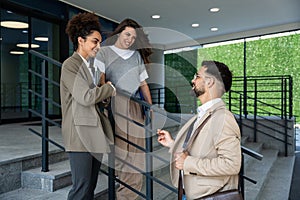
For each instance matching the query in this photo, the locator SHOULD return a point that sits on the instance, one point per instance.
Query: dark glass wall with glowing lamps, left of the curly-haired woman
(43, 30)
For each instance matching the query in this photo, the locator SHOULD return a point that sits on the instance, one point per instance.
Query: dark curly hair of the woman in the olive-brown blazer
(82, 25)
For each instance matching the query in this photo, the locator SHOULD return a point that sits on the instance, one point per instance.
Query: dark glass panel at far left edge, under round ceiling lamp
(13, 59)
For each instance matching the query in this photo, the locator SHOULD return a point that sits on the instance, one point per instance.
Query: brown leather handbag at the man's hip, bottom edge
(224, 195)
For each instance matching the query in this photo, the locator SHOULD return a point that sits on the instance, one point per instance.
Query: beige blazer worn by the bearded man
(214, 159)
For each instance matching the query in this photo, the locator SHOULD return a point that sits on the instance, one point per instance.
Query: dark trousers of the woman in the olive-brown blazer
(84, 169)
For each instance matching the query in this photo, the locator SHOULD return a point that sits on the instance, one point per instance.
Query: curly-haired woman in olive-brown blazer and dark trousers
(86, 131)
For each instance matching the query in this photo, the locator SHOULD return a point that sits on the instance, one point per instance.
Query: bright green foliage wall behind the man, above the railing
(265, 57)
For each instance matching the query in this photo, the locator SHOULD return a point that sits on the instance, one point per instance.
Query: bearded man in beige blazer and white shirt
(210, 156)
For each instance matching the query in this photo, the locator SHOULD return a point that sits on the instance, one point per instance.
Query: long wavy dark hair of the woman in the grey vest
(141, 44)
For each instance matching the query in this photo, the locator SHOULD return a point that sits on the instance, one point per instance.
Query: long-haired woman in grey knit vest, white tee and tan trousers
(122, 62)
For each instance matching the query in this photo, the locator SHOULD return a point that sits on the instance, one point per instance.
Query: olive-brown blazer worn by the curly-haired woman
(84, 127)
